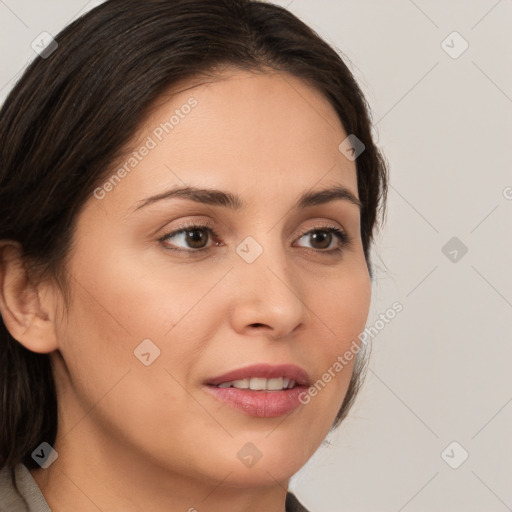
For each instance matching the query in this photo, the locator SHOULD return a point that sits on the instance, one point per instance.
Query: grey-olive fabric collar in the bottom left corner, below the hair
(25, 496)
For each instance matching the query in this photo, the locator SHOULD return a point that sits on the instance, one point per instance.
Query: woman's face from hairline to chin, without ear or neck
(156, 322)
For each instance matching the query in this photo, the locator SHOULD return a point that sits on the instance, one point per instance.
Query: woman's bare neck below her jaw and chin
(91, 478)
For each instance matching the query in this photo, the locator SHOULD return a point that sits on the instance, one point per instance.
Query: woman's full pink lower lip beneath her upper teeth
(264, 404)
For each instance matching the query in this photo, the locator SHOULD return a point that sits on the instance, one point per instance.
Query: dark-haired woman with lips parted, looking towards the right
(189, 192)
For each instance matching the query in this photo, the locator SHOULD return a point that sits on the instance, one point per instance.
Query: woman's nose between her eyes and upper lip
(267, 296)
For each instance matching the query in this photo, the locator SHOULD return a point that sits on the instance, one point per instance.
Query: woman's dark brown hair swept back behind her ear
(71, 115)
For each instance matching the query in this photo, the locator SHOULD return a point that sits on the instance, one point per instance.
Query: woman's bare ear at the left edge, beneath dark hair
(23, 312)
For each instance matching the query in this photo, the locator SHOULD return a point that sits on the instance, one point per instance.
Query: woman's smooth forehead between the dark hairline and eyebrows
(259, 134)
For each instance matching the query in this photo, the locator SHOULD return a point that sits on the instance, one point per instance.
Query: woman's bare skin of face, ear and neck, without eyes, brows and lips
(133, 437)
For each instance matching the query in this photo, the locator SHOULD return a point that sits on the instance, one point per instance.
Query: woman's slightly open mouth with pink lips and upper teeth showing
(262, 390)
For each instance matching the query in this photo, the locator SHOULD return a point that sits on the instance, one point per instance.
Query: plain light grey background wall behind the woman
(440, 370)
